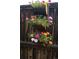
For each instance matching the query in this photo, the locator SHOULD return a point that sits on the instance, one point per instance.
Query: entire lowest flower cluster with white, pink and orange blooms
(44, 38)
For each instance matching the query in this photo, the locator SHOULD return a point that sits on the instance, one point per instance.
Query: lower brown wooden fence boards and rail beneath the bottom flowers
(28, 51)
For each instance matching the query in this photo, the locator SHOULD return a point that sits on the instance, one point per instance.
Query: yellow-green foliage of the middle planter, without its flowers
(39, 21)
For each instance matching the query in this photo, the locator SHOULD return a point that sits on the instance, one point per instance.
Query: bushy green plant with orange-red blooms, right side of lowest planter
(46, 39)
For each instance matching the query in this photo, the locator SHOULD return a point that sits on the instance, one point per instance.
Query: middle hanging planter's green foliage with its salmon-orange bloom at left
(44, 22)
